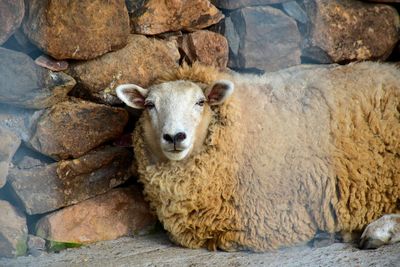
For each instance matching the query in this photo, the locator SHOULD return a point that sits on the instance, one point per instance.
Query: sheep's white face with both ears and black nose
(176, 111)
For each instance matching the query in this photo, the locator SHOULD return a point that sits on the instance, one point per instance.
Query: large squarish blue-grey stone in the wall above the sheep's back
(263, 38)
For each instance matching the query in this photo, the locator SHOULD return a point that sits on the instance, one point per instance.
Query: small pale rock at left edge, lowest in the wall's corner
(13, 231)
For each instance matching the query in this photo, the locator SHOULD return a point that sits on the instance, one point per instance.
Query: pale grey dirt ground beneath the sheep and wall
(156, 250)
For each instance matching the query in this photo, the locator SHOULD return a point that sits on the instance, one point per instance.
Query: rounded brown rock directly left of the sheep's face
(73, 128)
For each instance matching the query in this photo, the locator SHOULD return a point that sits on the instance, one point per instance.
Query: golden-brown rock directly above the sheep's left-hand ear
(140, 62)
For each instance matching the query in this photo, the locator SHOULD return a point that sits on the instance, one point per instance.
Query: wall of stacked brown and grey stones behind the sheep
(65, 156)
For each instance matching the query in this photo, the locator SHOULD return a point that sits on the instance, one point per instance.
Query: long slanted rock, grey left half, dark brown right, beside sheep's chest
(47, 187)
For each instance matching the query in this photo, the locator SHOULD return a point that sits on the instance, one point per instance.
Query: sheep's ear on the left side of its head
(132, 95)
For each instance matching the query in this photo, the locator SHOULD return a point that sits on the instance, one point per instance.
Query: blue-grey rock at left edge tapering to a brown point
(25, 84)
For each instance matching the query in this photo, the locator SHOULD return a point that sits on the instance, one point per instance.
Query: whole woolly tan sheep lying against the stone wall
(242, 162)
